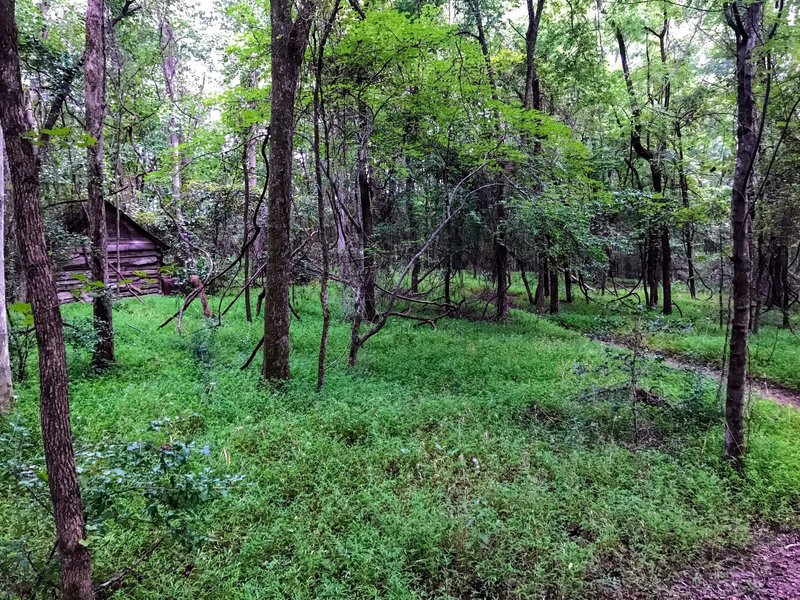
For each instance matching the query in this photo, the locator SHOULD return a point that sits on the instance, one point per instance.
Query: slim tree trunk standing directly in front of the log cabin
(95, 91)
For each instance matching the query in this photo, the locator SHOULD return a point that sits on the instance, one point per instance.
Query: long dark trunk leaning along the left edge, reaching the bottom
(62, 476)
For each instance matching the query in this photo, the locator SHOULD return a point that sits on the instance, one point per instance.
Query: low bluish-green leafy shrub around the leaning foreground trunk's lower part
(156, 489)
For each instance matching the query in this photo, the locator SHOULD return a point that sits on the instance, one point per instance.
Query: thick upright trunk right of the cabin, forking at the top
(289, 40)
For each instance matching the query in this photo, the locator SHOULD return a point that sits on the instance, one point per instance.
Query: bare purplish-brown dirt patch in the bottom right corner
(770, 572)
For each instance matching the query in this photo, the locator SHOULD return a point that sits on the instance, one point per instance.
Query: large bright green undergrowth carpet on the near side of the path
(476, 460)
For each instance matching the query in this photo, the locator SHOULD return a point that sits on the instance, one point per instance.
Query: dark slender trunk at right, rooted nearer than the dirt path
(746, 27)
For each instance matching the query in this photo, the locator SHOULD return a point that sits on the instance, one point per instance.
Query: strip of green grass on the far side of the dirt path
(696, 334)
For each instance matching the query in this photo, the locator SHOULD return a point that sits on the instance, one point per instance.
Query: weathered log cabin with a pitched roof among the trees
(134, 258)
